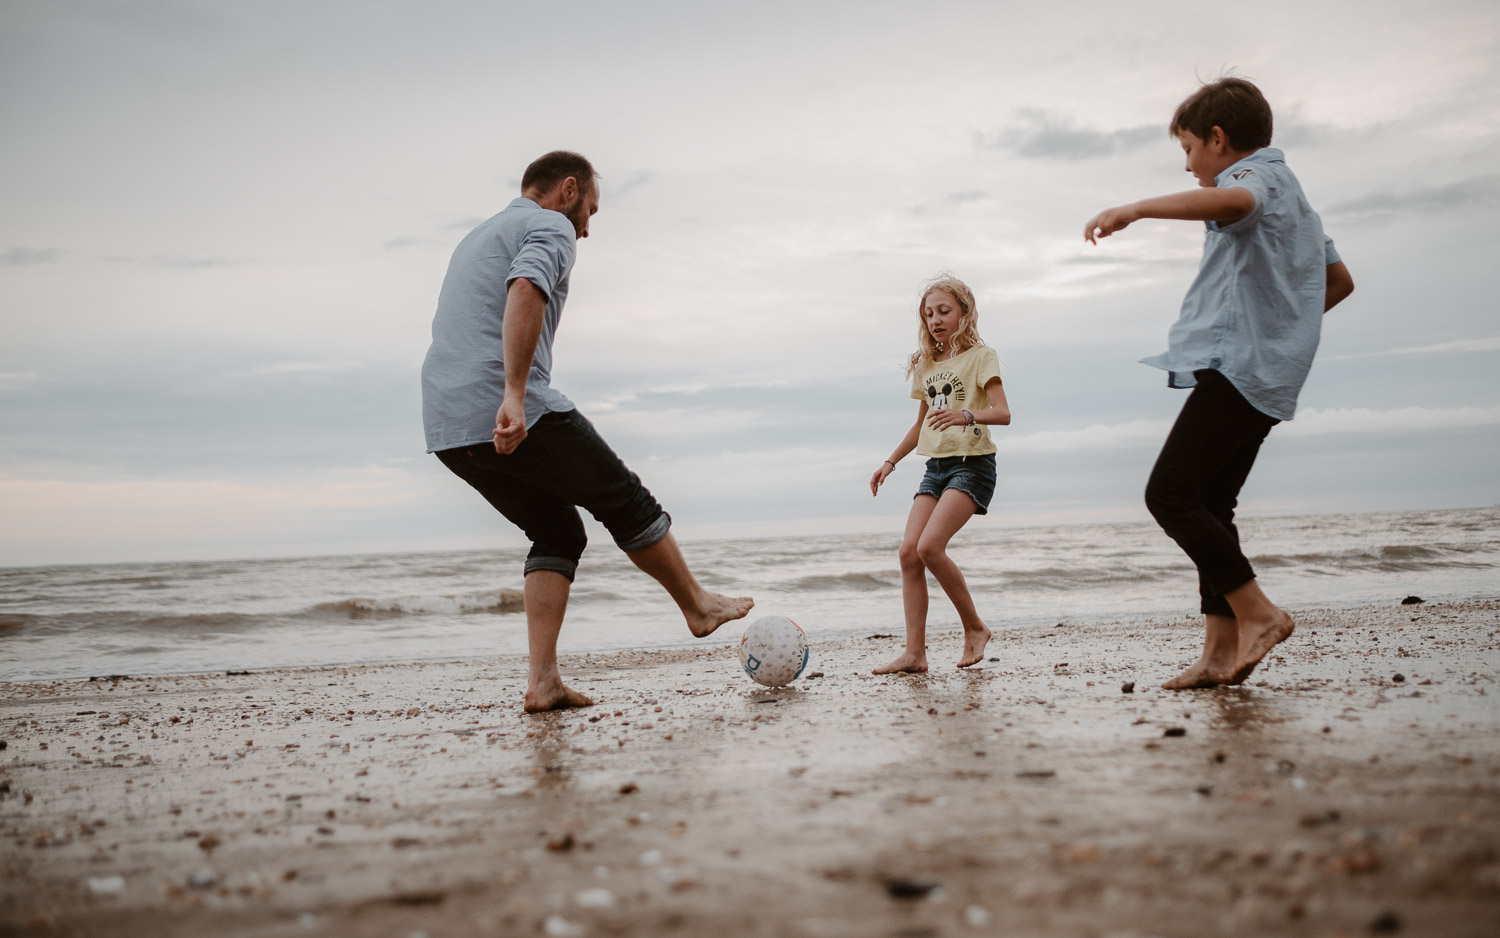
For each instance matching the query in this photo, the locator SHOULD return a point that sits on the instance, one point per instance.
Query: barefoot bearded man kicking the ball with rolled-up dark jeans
(536, 460)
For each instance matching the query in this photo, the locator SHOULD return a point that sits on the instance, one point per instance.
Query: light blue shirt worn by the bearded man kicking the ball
(464, 376)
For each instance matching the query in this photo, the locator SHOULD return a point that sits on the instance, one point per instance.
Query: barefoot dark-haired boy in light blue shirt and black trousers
(1244, 344)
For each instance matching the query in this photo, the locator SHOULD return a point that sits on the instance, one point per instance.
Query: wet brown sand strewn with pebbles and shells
(1030, 796)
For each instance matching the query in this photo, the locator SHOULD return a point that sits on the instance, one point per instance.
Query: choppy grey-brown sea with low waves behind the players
(142, 619)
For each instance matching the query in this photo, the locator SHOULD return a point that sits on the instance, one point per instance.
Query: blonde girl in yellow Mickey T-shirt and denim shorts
(953, 373)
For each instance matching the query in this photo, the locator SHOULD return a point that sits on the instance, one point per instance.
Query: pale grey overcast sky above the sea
(224, 229)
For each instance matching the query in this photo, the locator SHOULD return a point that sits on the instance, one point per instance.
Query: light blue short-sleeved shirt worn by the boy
(1255, 313)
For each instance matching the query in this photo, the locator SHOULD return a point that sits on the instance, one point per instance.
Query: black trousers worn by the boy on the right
(1195, 486)
